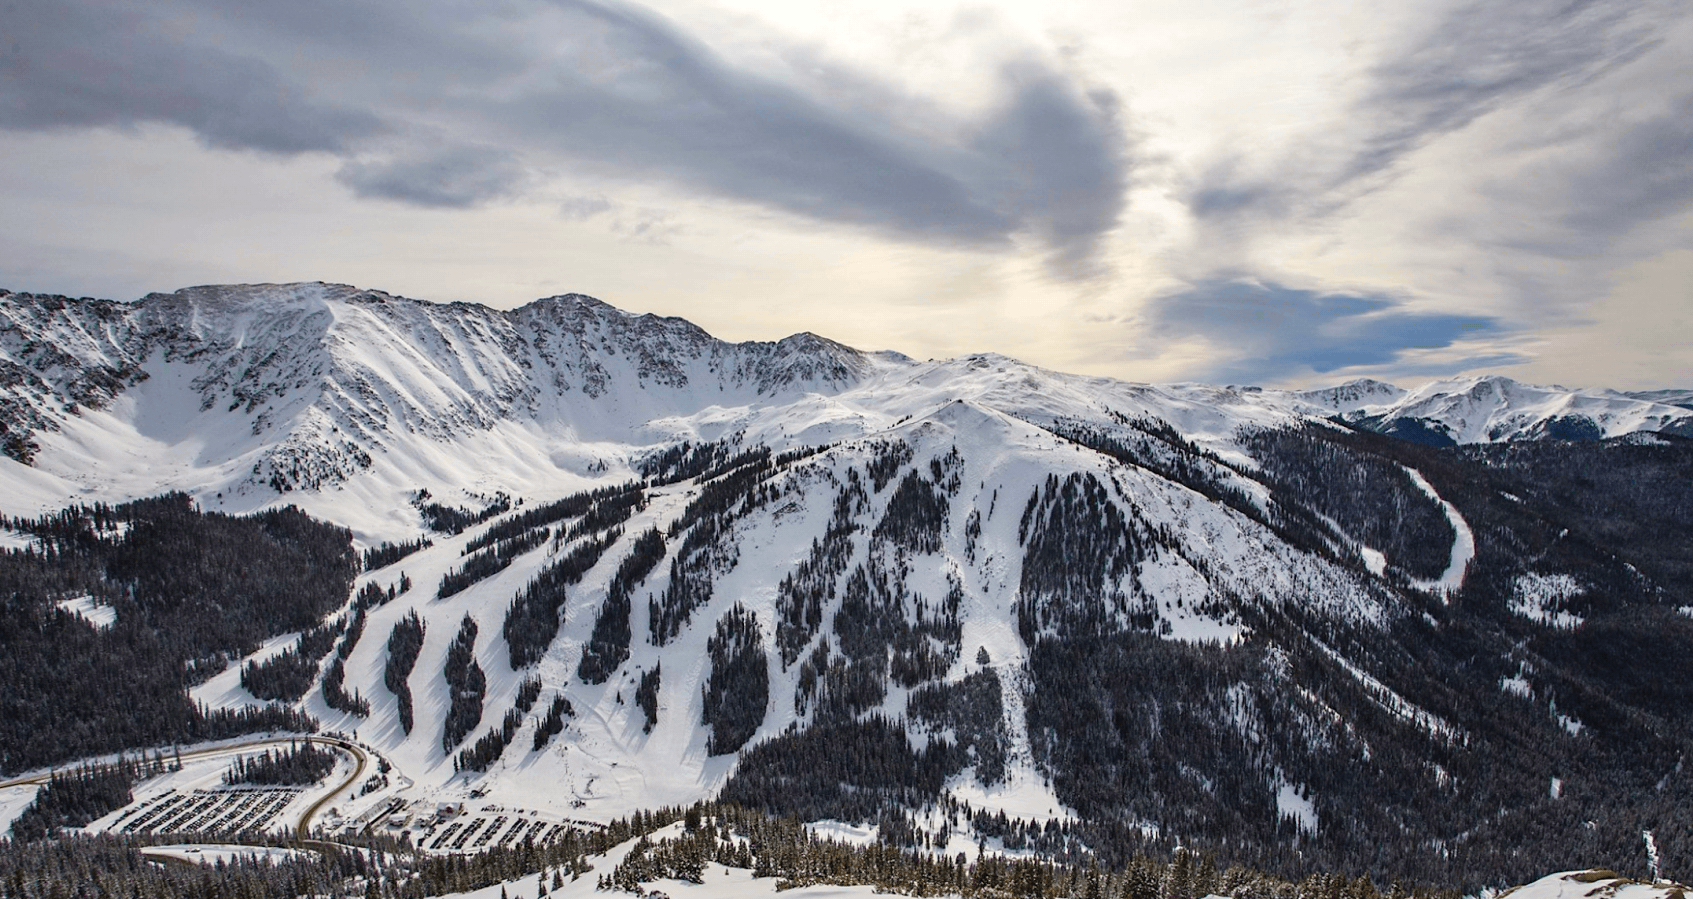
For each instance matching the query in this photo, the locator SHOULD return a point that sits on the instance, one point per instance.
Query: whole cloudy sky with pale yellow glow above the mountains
(1281, 194)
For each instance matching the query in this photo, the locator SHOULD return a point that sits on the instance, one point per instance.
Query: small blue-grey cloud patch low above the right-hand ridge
(1274, 331)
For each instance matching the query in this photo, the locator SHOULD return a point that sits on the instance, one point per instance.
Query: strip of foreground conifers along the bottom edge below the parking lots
(710, 834)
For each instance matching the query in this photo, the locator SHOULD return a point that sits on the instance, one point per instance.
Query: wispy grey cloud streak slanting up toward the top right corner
(1479, 58)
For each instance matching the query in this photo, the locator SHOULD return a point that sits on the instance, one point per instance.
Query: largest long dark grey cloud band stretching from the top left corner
(593, 89)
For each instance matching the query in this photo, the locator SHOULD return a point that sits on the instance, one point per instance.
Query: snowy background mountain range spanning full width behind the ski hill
(241, 394)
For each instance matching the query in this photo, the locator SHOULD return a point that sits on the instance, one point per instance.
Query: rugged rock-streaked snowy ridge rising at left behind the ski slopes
(326, 378)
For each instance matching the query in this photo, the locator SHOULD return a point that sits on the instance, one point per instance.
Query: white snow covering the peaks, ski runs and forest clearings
(570, 394)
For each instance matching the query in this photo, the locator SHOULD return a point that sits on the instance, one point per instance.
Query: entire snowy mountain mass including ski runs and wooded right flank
(858, 587)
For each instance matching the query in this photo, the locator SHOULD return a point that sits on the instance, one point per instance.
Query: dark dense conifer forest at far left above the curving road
(190, 590)
